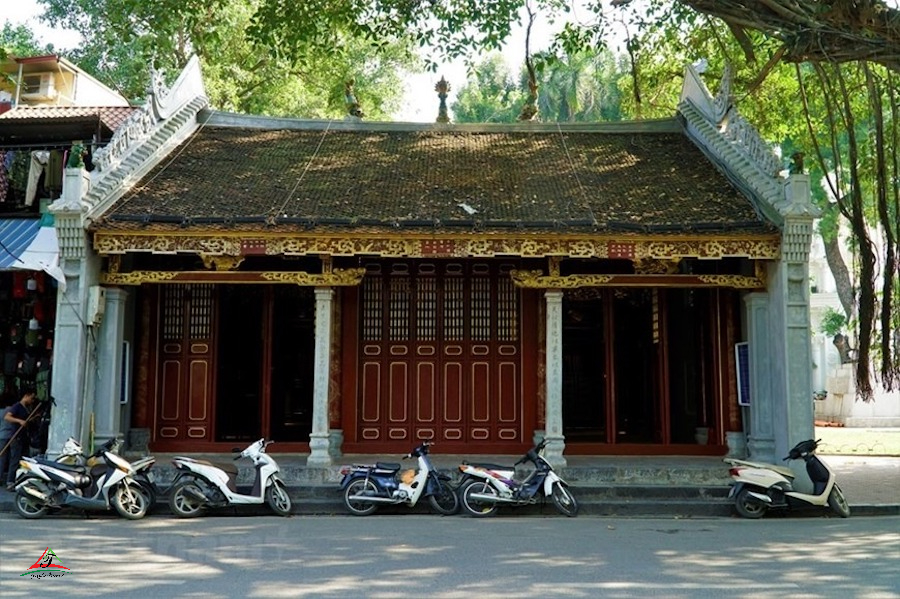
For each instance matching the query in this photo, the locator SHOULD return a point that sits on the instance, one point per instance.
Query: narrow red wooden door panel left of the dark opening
(186, 373)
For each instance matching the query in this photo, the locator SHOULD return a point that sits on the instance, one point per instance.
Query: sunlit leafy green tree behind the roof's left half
(124, 37)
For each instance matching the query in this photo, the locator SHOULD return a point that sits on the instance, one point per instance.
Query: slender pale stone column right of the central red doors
(556, 443)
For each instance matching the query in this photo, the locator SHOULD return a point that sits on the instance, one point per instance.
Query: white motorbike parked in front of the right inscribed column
(485, 487)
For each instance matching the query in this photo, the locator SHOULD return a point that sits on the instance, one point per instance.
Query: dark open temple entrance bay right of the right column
(646, 360)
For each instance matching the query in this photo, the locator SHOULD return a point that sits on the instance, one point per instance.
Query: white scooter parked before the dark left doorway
(200, 484)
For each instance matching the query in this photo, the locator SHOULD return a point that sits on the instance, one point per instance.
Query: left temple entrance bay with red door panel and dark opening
(236, 363)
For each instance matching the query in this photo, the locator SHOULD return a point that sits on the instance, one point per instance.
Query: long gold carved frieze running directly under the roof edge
(476, 245)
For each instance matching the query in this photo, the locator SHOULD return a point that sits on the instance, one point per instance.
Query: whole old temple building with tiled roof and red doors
(352, 287)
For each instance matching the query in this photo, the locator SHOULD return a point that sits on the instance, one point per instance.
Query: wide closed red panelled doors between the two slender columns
(440, 354)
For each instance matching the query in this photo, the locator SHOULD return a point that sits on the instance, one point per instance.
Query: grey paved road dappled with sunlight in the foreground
(454, 557)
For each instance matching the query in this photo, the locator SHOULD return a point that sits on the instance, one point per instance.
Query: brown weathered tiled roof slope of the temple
(549, 177)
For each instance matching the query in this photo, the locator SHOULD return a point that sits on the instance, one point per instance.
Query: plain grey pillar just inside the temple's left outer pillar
(108, 385)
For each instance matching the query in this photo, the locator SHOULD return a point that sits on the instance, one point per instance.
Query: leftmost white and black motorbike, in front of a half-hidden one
(43, 484)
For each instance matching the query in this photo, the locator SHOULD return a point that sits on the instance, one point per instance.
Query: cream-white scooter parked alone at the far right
(758, 487)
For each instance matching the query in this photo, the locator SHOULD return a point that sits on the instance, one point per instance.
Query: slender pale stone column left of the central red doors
(319, 437)
